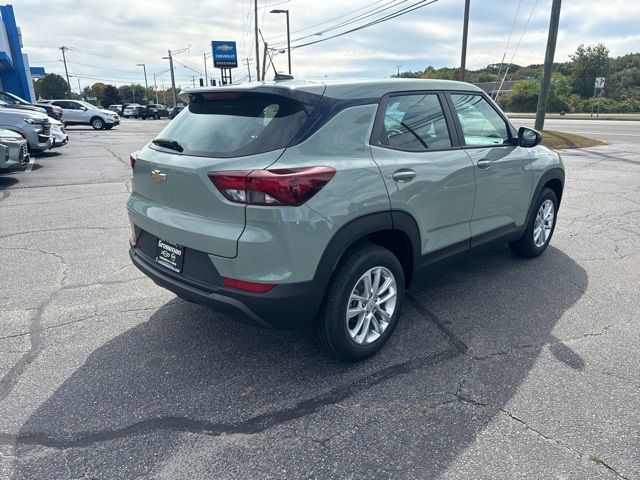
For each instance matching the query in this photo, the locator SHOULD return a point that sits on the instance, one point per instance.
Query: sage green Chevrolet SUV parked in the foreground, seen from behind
(298, 204)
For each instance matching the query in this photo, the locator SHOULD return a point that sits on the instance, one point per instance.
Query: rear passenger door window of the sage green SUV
(415, 123)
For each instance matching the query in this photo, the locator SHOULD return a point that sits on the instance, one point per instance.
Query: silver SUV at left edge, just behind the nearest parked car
(35, 127)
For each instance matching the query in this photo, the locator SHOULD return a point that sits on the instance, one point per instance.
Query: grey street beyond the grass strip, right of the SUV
(610, 131)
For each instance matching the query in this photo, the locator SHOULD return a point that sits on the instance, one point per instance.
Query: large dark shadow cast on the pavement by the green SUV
(189, 371)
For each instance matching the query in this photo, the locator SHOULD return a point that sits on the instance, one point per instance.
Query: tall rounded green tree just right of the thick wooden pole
(587, 64)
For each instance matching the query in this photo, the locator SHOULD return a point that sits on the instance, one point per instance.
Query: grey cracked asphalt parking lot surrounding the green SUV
(500, 367)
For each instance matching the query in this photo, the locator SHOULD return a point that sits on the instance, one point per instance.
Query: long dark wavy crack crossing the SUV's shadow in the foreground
(252, 425)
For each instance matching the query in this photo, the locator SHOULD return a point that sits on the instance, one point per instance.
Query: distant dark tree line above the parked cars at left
(53, 85)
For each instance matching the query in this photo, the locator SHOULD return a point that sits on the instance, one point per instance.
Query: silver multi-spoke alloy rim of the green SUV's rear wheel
(371, 305)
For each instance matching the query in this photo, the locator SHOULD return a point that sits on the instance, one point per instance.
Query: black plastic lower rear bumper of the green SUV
(287, 306)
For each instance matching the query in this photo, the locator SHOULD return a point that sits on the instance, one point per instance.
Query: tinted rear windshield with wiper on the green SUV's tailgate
(234, 124)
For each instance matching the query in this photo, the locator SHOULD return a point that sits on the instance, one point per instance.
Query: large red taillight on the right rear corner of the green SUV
(292, 186)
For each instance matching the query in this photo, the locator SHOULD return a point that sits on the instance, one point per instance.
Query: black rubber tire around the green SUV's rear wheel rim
(330, 327)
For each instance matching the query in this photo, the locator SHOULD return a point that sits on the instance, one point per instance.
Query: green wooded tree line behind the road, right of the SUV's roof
(572, 82)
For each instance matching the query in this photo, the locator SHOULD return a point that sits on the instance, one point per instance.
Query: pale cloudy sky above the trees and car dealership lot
(107, 39)
